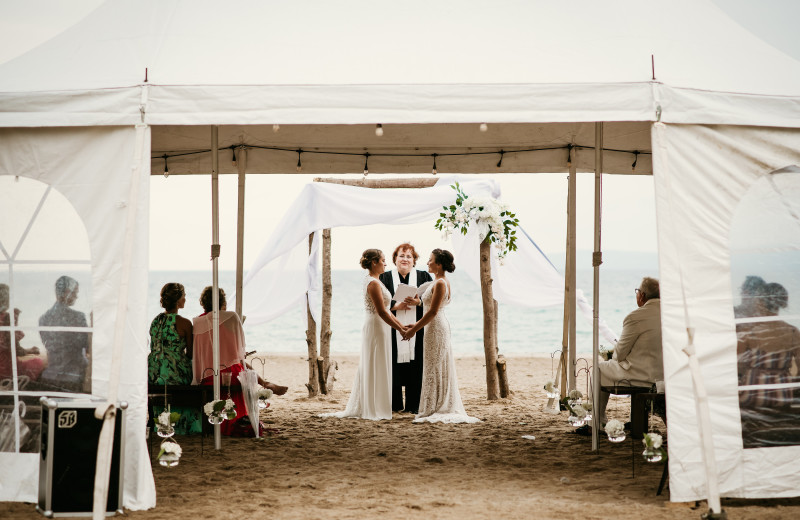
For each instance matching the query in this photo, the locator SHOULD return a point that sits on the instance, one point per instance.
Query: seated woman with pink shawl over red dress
(231, 358)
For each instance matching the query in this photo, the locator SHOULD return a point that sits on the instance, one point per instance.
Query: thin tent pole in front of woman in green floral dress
(215, 270)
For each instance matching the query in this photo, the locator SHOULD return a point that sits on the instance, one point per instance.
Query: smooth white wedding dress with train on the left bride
(371, 397)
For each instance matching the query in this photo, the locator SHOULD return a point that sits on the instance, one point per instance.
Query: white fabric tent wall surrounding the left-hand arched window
(92, 168)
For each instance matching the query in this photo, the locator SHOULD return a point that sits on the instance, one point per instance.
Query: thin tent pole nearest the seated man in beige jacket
(597, 259)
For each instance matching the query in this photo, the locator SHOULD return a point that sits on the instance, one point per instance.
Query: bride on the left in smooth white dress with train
(371, 397)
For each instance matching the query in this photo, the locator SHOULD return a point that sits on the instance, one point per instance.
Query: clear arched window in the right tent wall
(765, 284)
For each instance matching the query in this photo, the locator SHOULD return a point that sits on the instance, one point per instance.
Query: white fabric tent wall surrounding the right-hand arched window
(701, 174)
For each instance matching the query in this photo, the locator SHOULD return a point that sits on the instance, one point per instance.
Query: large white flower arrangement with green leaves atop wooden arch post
(494, 220)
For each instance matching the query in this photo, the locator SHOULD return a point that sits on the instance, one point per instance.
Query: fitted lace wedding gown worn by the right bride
(440, 400)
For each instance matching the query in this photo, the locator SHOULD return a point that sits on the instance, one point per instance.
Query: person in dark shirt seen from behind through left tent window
(67, 352)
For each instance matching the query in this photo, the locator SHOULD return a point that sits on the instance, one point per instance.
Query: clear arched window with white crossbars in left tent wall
(45, 306)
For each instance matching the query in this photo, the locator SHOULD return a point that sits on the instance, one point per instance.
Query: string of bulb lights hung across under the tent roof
(379, 132)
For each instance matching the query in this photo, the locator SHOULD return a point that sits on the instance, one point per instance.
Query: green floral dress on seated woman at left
(168, 364)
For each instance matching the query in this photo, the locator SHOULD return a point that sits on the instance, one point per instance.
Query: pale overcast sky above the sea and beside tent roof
(180, 206)
